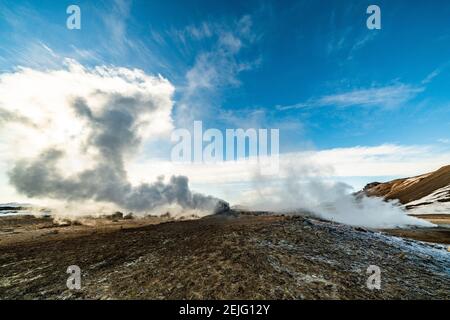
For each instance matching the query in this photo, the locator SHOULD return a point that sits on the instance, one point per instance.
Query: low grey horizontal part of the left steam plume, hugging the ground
(105, 183)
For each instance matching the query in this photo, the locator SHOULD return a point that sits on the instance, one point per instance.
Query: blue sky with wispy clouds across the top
(310, 68)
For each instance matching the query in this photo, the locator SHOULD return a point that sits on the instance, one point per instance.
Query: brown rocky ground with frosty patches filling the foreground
(228, 256)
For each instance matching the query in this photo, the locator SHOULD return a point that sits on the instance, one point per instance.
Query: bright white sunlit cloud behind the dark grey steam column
(37, 109)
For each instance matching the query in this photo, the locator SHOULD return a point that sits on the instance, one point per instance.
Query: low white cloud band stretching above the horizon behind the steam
(230, 179)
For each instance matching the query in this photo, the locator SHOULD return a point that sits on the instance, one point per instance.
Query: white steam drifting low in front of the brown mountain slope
(304, 188)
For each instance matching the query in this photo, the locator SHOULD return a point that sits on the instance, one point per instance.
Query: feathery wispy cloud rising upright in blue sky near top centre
(216, 68)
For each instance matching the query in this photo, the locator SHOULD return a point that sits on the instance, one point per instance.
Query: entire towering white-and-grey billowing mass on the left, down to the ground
(74, 130)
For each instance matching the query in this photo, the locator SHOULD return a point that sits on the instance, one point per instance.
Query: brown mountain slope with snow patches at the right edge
(425, 194)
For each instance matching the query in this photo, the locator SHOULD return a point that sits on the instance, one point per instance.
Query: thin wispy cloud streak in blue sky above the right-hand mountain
(386, 97)
